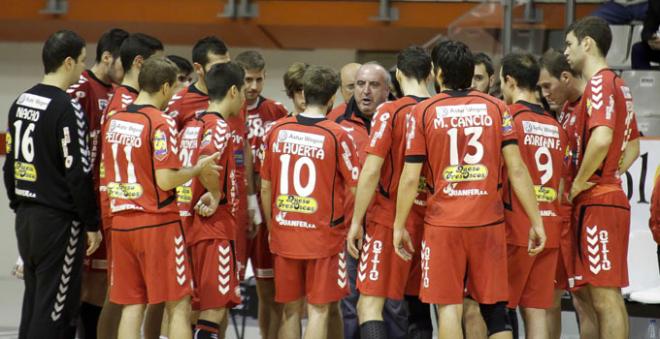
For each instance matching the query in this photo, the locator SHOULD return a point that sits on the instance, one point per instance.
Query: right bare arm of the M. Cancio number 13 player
(523, 186)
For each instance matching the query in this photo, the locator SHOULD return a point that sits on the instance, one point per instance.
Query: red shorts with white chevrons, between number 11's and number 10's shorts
(215, 275)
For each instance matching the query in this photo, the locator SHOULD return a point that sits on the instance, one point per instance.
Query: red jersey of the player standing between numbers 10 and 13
(387, 140)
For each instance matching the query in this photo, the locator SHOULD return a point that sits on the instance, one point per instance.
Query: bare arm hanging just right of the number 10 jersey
(365, 191)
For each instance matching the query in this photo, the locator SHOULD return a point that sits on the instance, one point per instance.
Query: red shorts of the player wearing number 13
(452, 254)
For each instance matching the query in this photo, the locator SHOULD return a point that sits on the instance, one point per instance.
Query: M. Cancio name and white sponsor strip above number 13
(462, 116)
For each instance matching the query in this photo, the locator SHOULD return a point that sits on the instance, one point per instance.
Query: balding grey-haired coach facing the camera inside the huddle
(371, 90)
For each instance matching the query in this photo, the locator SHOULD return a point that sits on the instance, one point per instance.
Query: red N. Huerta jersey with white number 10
(310, 163)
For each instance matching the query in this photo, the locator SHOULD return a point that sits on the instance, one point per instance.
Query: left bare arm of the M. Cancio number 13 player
(404, 200)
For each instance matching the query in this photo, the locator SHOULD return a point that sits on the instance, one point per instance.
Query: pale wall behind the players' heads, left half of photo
(20, 69)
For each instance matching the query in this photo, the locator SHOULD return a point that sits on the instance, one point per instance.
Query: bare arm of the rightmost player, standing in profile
(597, 148)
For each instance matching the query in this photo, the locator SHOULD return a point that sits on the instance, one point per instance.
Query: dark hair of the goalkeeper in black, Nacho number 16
(59, 46)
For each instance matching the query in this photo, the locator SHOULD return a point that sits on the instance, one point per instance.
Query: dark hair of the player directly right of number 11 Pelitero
(221, 77)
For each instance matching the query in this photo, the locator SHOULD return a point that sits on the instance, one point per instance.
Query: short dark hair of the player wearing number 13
(456, 61)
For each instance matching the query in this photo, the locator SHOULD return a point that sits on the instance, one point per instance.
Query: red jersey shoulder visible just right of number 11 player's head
(186, 104)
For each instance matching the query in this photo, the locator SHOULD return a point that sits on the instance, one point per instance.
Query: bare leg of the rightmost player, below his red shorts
(611, 311)
